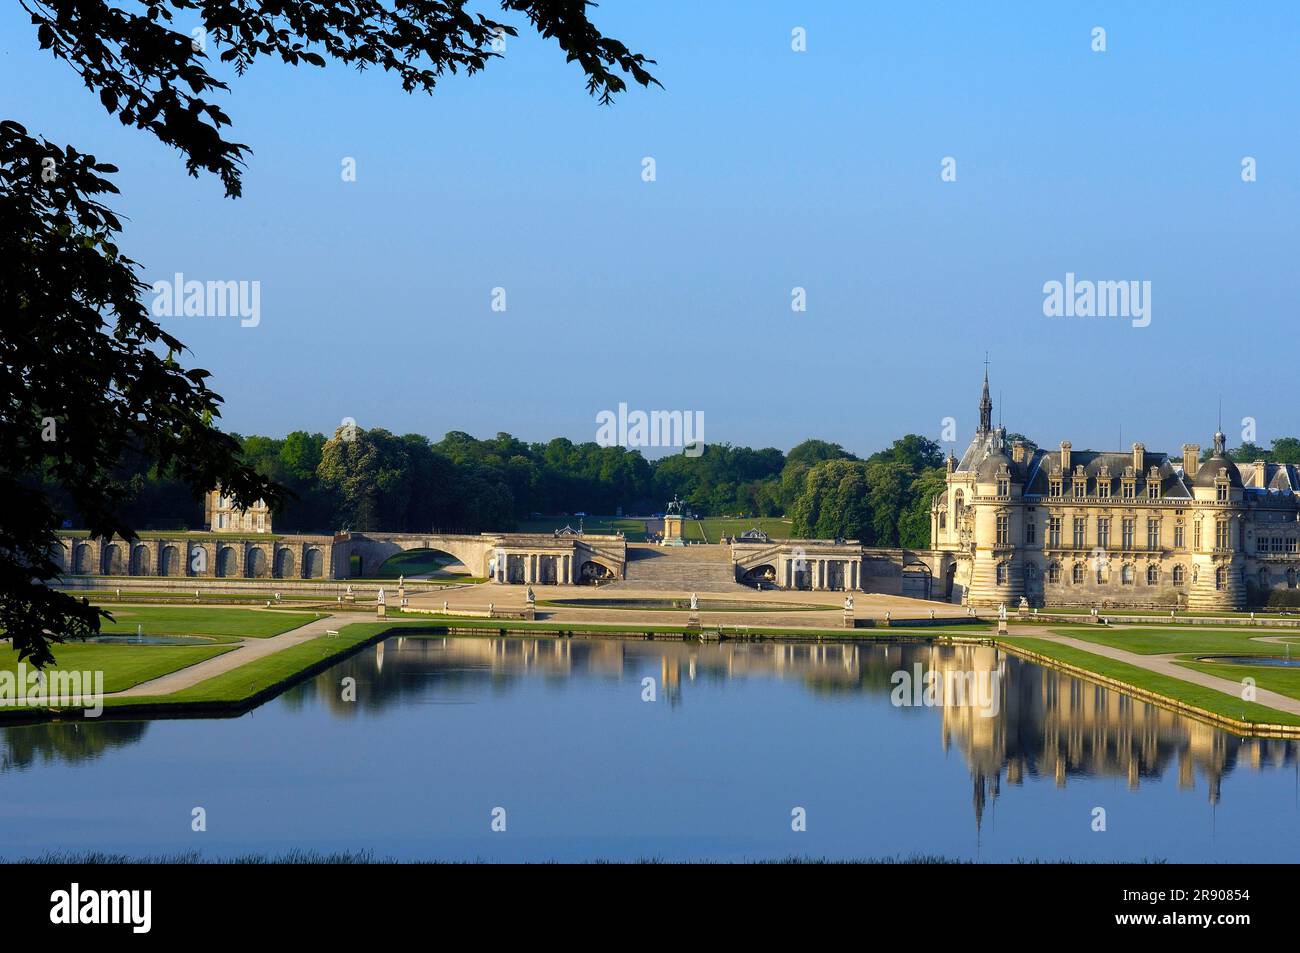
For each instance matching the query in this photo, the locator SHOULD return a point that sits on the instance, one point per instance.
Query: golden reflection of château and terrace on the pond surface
(1047, 725)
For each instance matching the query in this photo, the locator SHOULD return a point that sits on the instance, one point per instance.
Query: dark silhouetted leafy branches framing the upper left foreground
(88, 376)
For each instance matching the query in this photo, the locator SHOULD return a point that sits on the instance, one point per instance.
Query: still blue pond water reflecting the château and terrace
(557, 733)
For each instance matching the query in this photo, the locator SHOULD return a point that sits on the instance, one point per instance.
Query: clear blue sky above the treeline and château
(775, 170)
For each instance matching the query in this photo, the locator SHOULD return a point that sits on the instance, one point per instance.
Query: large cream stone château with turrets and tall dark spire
(1115, 529)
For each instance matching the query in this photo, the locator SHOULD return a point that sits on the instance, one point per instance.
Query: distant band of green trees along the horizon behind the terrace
(378, 480)
